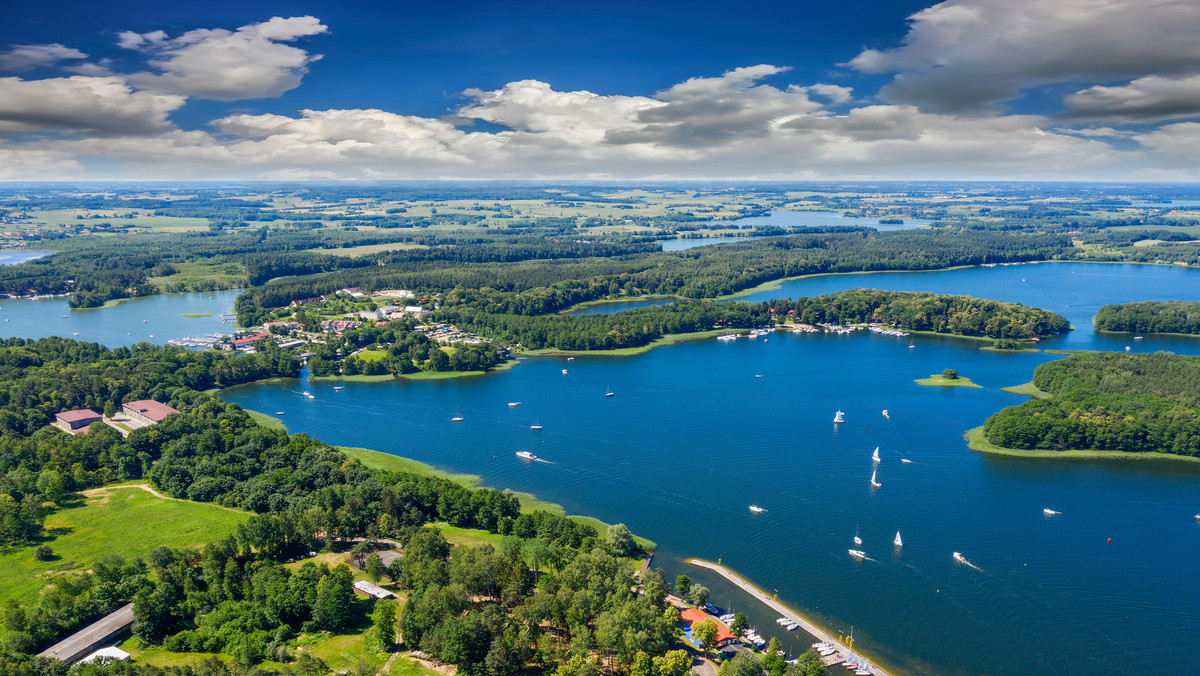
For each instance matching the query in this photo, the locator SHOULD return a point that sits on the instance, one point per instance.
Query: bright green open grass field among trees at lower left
(112, 522)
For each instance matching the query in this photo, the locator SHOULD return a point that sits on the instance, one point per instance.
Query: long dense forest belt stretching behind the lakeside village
(541, 288)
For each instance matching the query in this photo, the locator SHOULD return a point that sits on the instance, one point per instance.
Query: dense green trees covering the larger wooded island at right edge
(1108, 402)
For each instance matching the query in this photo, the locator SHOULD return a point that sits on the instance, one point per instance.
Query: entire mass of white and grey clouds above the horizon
(1126, 76)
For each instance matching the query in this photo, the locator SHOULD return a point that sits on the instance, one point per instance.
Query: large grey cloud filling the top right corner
(967, 56)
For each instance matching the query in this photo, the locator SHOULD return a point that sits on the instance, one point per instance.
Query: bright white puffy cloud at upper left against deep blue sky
(226, 65)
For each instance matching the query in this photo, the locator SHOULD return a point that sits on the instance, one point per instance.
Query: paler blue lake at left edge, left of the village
(157, 319)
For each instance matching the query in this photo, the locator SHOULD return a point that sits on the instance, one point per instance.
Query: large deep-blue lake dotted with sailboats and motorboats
(700, 430)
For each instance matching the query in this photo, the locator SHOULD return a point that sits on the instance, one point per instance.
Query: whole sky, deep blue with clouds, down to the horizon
(880, 89)
